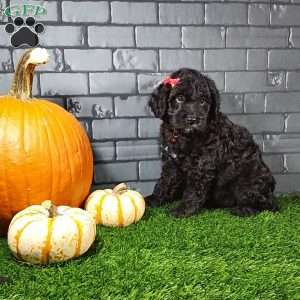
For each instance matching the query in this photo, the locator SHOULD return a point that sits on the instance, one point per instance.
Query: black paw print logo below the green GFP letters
(24, 32)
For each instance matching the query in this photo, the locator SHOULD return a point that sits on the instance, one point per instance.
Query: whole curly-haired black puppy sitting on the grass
(207, 160)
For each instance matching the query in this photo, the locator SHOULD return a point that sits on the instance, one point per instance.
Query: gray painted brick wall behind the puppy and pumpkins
(107, 56)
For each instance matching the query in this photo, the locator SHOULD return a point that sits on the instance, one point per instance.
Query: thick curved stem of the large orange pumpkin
(22, 83)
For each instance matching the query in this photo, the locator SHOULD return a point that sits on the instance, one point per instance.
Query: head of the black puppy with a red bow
(186, 100)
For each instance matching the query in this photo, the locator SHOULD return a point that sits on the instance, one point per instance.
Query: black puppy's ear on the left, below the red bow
(158, 101)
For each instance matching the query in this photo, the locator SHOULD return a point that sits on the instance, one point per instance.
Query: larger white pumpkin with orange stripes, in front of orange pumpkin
(42, 234)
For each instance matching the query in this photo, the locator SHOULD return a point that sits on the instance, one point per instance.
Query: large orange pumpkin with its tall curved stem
(44, 151)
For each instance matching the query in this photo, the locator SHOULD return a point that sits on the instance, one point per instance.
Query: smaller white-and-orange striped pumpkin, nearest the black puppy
(119, 207)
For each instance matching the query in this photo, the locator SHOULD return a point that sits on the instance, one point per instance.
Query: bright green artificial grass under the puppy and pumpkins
(210, 256)
